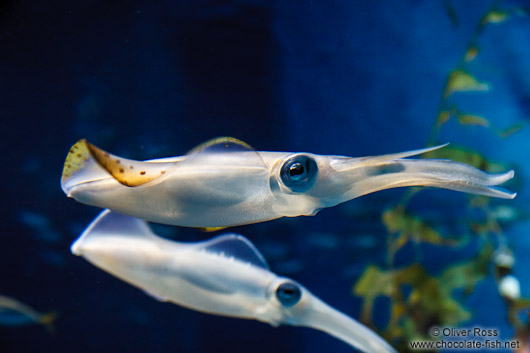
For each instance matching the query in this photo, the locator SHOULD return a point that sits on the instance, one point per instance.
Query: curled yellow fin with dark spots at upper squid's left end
(126, 171)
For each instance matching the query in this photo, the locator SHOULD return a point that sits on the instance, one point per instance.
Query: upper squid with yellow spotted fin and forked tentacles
(225, 183)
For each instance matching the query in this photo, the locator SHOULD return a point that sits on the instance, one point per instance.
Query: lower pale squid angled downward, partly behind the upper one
(225, 276)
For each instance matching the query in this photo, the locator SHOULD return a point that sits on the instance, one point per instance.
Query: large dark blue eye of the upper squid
(299, 173)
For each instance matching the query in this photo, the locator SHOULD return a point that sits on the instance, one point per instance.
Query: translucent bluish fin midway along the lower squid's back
(236, 246)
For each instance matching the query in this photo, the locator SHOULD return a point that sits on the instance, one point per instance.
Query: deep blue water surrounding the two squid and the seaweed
(146, 80)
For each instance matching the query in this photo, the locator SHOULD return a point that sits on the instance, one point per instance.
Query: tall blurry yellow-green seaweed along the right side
(418, 300)
